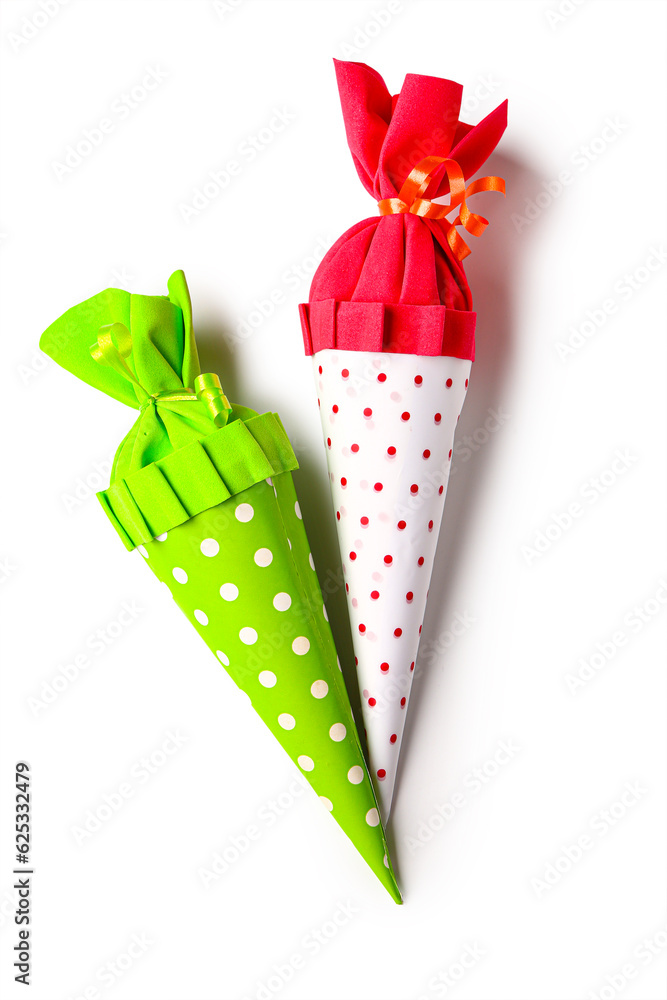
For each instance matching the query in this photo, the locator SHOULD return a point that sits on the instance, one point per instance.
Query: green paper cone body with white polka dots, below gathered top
(243, 575)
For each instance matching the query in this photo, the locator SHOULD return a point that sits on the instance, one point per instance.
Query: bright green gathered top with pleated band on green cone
(189, 449)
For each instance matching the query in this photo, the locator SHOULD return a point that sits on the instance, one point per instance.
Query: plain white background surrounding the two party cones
(115, 219)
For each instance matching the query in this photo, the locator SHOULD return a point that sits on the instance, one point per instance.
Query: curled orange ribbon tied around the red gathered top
(410, 199)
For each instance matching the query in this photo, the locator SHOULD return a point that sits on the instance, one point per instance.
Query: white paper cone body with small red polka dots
(388, 422)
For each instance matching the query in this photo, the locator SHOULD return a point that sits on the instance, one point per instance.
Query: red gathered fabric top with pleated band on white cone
(392, 282)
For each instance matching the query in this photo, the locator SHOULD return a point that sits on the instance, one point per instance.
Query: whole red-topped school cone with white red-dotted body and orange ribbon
(390, 327)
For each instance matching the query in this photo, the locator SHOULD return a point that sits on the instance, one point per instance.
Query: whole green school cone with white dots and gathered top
(204, 490)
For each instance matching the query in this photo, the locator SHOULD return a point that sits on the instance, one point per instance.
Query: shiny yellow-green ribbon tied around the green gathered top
(114, 346)
